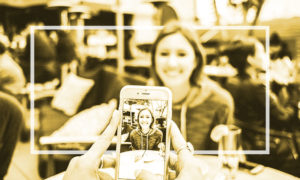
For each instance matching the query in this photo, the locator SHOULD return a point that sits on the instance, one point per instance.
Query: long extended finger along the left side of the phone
(94, 154)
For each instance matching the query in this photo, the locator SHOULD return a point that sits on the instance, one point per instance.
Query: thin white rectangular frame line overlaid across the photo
(210, 152)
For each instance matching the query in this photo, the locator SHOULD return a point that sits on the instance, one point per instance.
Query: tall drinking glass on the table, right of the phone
(229, 151)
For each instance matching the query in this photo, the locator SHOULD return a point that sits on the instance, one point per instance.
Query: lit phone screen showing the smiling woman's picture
(143, 137)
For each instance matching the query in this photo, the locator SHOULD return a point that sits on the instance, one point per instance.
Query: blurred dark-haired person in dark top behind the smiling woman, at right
(247, 89)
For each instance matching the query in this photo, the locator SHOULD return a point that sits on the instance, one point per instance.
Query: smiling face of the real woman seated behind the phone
(175, 59)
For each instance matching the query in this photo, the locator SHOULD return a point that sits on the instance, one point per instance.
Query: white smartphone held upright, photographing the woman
(143, 133)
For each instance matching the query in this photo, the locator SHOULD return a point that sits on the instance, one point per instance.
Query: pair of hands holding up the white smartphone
(87, 165)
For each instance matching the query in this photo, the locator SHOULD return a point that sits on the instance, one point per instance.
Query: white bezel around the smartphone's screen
(145, 92)
